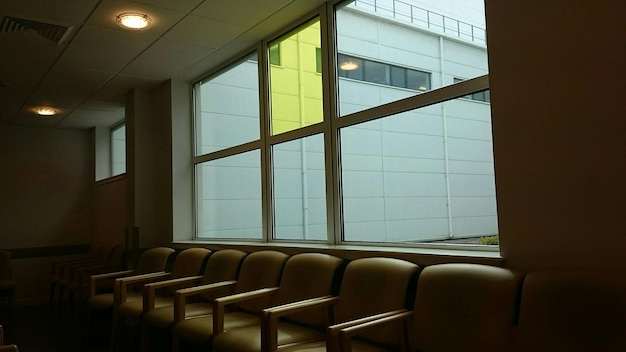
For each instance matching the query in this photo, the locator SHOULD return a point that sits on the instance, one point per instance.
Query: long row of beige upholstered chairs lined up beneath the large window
(231, 301)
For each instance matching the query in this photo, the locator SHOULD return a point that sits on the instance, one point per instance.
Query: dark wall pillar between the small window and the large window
(148, 168)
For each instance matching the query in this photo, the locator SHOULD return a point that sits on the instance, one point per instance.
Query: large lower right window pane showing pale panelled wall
(414, 177)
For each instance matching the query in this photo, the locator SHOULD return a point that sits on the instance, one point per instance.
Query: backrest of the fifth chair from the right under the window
(259, 270)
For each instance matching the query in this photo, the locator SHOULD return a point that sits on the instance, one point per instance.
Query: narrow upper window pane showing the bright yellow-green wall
(295, 85)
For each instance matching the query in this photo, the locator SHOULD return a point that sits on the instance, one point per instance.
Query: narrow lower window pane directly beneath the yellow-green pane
(299, 189)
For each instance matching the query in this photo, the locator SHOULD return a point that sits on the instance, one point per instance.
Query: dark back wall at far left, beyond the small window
(45, 188)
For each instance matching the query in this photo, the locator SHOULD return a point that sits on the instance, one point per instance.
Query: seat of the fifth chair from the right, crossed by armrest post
(200, 329)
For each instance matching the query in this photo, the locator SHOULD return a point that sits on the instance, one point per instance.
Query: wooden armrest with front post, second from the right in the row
(269, 318)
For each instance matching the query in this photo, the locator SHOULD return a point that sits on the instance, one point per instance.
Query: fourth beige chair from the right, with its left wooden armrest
(305, 276)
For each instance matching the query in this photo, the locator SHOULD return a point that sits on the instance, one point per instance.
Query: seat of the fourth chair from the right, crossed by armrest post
(248, 339)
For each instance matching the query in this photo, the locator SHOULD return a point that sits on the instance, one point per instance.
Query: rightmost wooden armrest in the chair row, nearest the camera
(339, 336)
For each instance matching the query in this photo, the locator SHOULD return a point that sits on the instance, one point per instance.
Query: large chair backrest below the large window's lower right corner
(468, 307)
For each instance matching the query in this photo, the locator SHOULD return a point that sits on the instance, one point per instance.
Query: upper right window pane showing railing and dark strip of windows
(434, 41)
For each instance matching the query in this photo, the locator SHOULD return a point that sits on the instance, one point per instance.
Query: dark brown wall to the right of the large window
(557, 78)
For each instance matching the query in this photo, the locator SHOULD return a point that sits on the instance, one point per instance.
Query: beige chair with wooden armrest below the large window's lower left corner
(187, 267)
